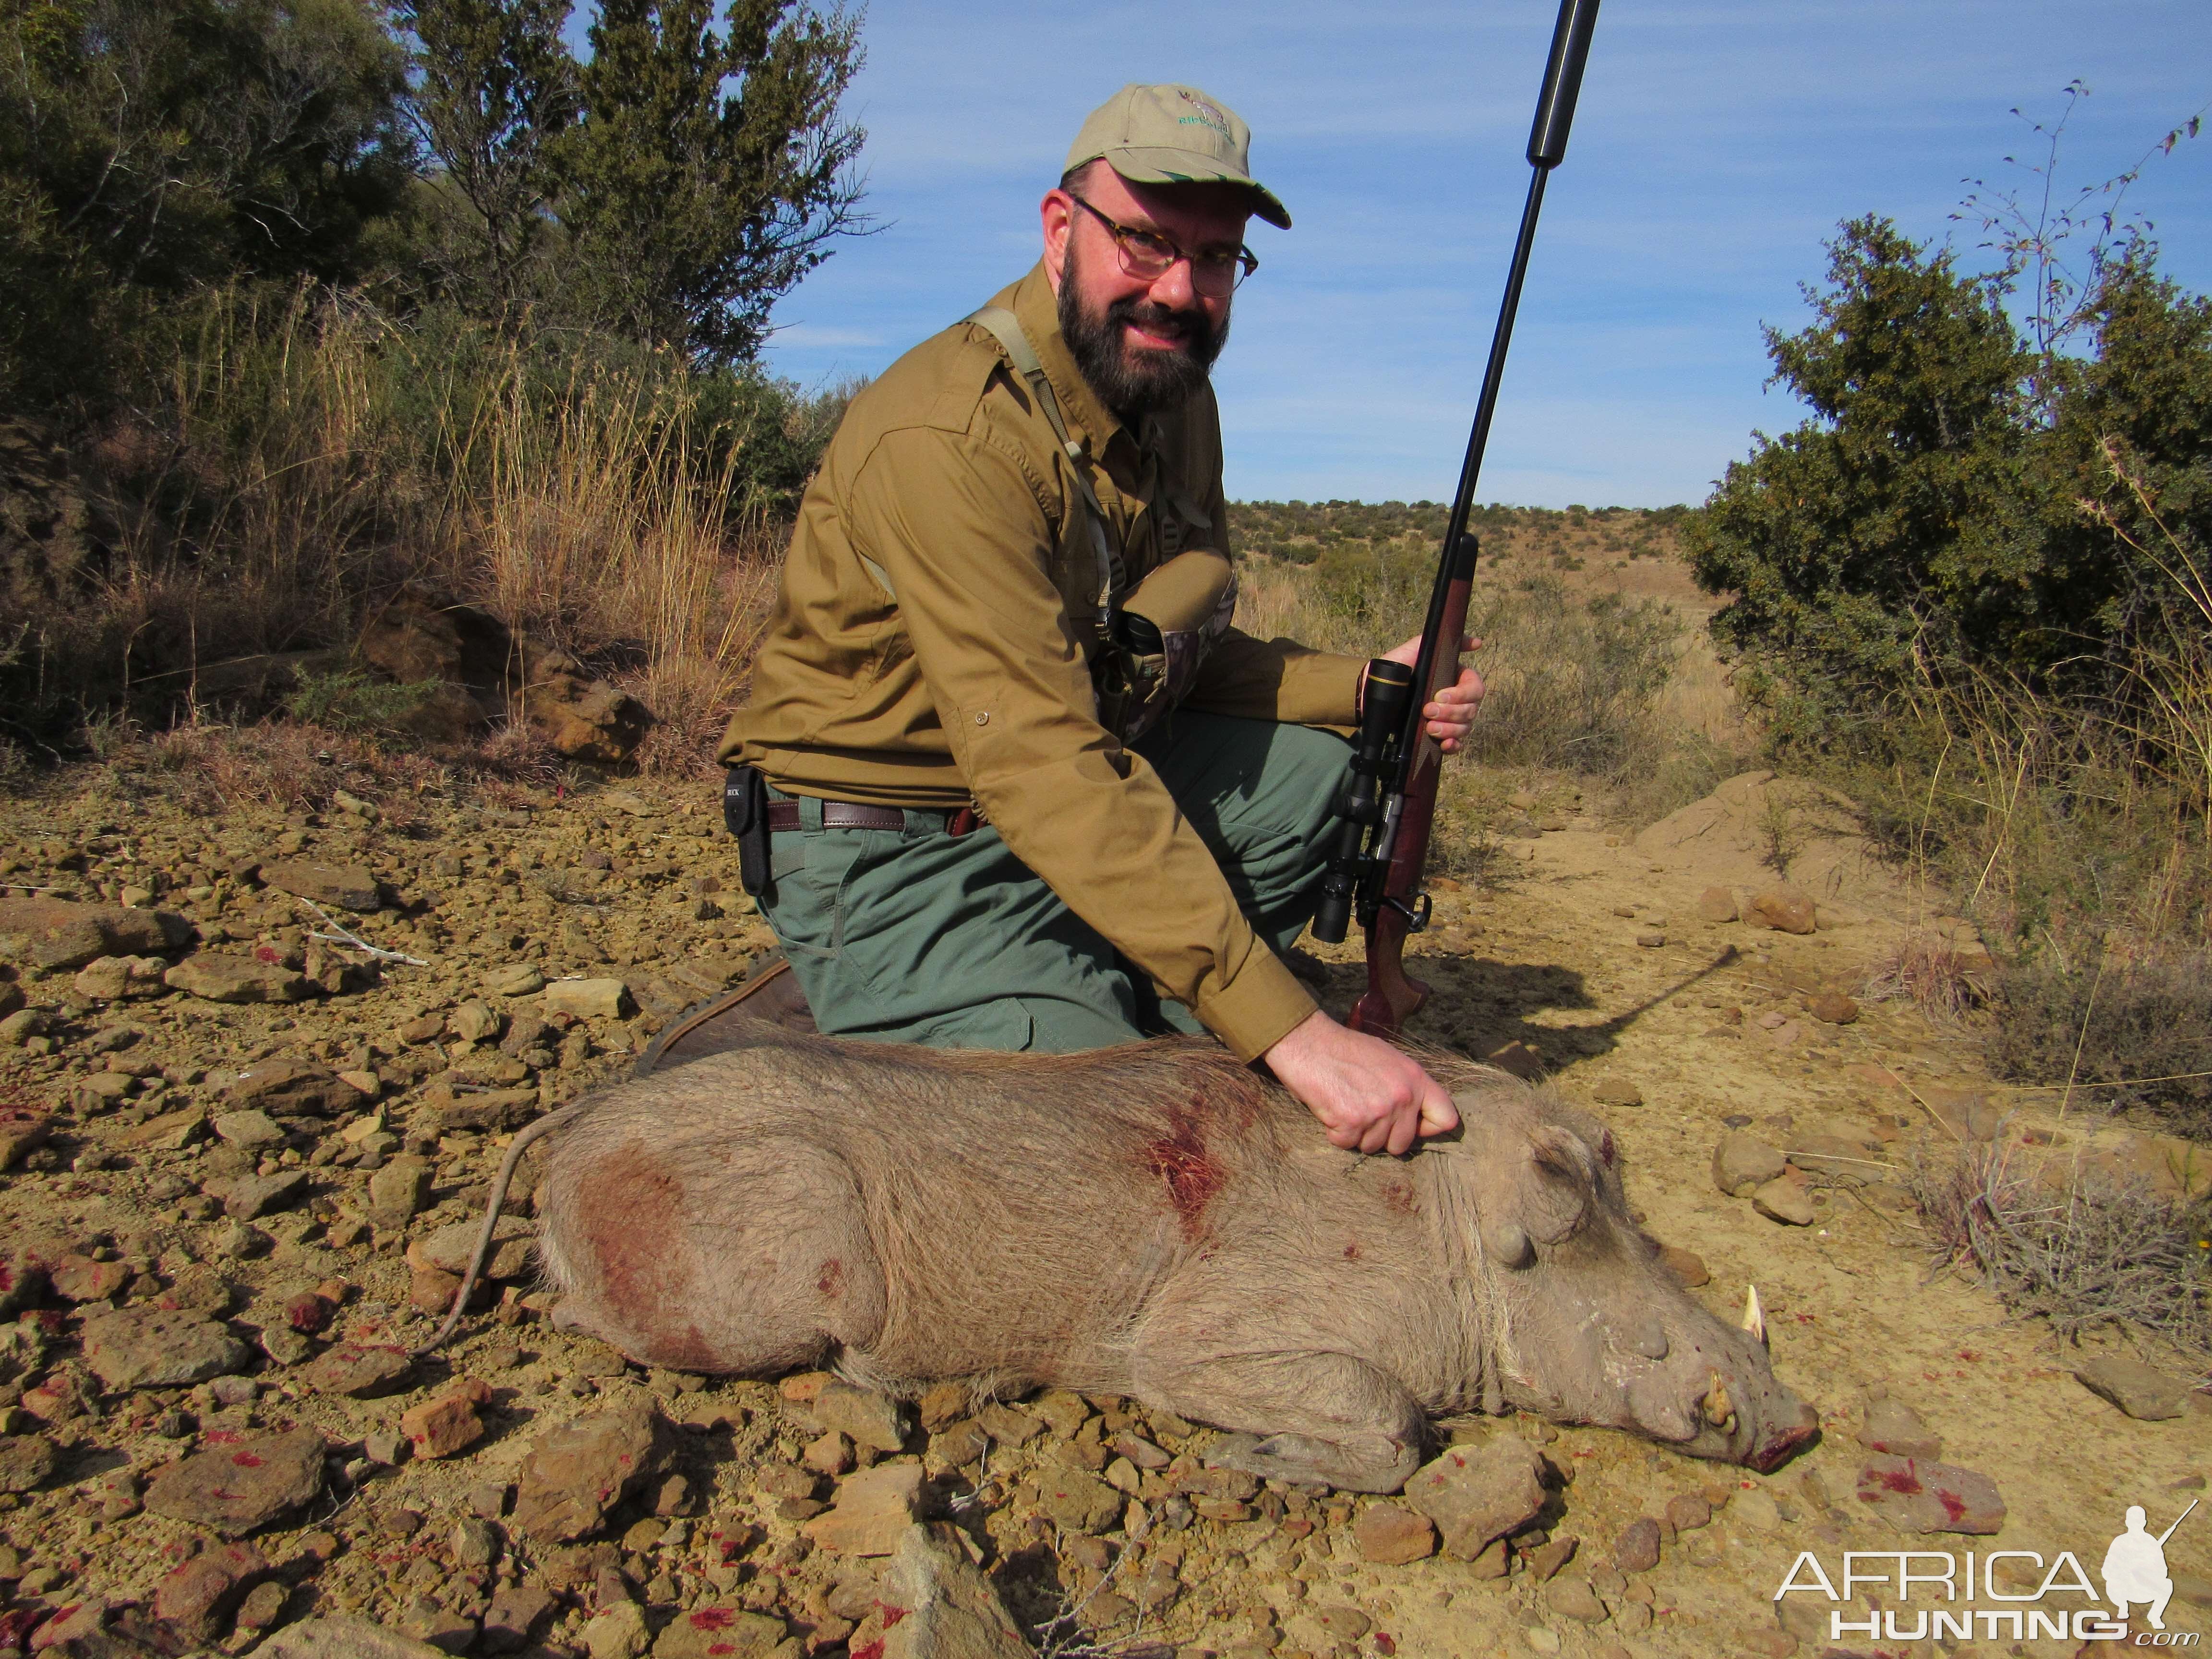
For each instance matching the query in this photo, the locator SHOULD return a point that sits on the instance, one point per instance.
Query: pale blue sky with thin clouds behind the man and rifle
(1715, 147)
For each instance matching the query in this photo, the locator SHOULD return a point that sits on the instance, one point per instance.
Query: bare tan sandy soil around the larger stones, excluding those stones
(1592, 957)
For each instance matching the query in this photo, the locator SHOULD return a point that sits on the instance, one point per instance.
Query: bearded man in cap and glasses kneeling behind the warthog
(1027, 784)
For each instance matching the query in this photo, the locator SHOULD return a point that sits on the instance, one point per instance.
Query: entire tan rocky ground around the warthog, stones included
(242, 1165)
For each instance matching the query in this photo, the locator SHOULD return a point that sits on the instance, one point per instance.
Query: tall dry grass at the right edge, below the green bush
(2076, 837)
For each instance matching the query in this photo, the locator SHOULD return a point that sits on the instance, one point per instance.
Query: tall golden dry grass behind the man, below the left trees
(311, 459)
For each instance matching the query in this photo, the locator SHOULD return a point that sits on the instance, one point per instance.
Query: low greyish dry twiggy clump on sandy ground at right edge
(2069, 1246)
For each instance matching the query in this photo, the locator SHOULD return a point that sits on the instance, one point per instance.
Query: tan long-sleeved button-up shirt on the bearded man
(935, 634)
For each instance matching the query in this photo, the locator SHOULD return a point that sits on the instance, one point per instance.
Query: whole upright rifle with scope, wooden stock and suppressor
(1390, 797)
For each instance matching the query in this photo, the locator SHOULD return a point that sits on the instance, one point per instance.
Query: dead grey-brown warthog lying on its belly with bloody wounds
(1154, 1222)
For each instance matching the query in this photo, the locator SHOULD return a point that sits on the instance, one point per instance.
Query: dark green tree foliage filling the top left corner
(149, 147)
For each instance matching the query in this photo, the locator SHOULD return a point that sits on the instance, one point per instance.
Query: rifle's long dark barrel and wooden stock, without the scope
(1392, 899)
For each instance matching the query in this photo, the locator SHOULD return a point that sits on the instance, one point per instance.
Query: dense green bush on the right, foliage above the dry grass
(1928, 523)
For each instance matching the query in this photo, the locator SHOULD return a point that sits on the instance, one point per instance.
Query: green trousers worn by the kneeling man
(950, 941)
